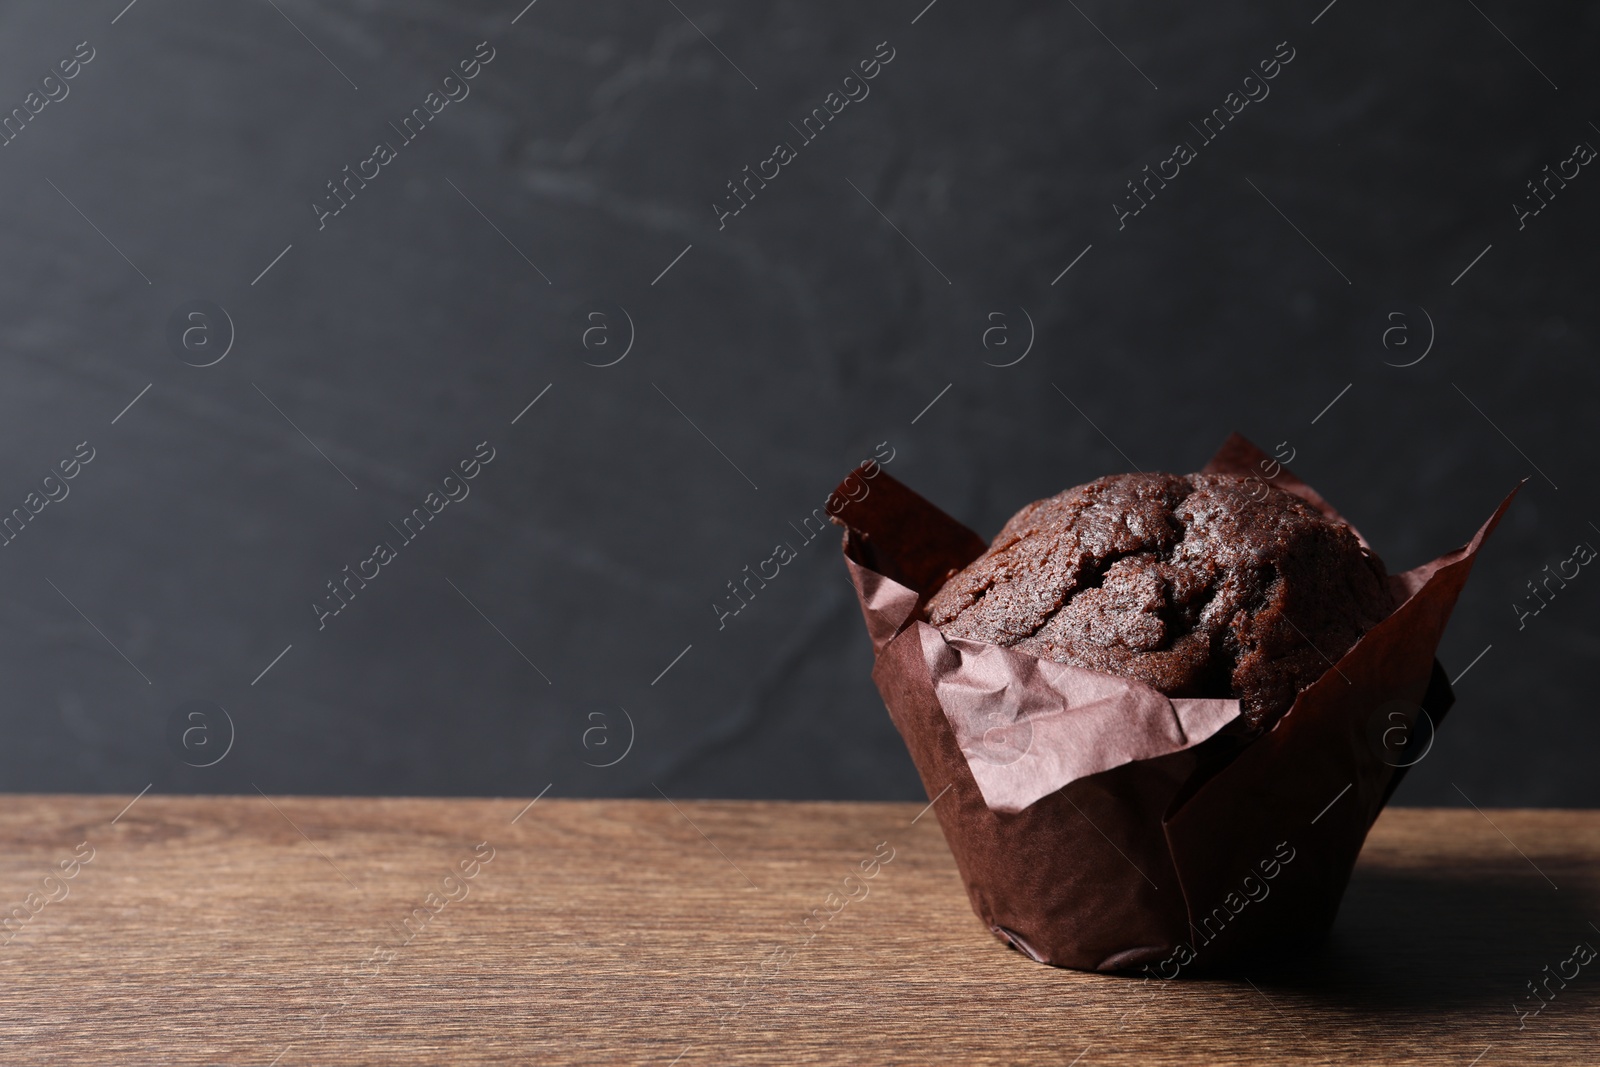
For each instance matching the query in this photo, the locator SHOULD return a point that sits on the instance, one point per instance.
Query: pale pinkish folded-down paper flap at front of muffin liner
(1028, 725)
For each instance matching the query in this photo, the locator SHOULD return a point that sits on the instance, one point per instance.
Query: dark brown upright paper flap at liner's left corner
(897, 533)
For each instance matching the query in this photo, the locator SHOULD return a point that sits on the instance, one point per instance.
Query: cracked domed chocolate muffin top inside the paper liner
(1198, 586)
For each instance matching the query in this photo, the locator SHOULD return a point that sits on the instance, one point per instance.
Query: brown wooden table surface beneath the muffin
(252, 930)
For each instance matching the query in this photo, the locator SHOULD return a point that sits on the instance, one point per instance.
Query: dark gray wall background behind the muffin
(798, 338)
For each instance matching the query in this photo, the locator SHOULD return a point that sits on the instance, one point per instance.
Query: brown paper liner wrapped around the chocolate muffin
(1106, 828)
